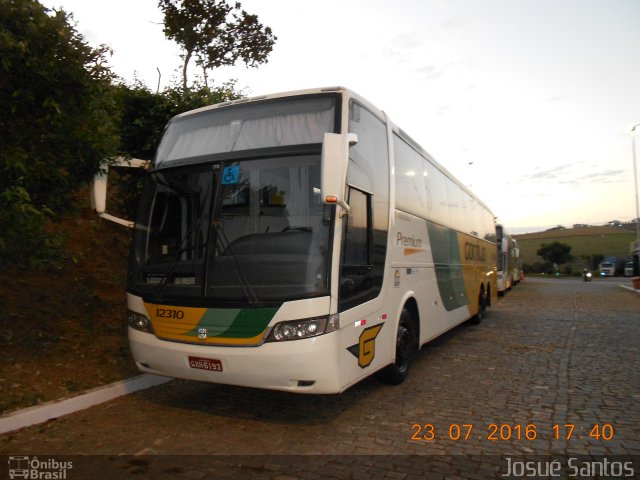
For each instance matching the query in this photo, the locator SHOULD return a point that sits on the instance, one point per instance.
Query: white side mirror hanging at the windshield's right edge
(333, 171)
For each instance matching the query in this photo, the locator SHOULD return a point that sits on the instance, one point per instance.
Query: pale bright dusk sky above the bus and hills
(530, 103)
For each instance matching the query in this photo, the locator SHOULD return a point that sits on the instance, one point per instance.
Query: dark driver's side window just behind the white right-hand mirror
(356, 277)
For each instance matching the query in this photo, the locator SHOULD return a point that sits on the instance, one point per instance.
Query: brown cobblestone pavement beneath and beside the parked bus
(551, 373)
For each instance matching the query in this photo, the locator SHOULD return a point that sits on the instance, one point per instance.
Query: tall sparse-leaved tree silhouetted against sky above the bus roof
(216, 33)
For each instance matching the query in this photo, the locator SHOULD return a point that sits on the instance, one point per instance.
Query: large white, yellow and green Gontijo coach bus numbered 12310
(300, 242)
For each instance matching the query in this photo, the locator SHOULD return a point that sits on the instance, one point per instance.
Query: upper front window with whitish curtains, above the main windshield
(272, 123)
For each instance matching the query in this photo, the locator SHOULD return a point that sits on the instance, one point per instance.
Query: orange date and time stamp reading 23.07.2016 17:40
(504, 432)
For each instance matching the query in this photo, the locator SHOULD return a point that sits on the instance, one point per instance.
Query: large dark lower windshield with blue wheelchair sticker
(245, 231)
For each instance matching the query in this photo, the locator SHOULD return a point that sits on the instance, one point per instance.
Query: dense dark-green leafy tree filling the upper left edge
(56, 124)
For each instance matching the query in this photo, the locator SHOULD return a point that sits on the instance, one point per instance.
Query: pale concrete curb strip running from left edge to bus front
(42, 413)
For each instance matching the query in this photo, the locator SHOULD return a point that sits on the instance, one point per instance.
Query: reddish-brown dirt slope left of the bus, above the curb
(63, 331)
